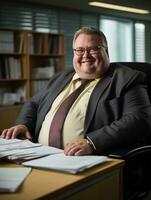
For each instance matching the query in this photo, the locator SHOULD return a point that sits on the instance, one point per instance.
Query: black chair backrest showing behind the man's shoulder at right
(144, 67)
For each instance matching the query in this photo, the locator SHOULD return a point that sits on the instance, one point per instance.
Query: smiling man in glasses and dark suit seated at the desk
(112, 111)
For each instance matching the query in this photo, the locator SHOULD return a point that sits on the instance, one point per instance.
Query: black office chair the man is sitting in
(142, 164)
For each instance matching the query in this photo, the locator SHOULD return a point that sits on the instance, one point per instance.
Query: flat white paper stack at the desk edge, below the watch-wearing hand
(70, 164)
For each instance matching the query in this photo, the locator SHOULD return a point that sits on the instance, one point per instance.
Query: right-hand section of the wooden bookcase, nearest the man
(46, 57)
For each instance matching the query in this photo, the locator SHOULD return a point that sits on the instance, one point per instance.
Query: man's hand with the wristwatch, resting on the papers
(78, 147)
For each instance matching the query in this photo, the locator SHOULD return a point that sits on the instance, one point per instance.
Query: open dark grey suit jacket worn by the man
(118, 113)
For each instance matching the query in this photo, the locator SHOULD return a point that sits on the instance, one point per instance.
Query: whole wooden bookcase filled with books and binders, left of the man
(27, 61)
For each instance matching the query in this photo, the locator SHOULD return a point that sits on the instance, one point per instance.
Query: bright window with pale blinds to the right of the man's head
(126, 39)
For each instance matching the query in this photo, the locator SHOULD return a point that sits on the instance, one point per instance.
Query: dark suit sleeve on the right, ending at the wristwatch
(133, 121)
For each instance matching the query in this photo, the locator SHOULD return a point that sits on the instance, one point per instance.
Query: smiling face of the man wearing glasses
(94, 61)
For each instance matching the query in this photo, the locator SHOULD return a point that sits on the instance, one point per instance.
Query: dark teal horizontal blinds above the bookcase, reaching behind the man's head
(21, 15)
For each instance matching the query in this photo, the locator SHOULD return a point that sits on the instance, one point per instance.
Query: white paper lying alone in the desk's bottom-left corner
(12, 178)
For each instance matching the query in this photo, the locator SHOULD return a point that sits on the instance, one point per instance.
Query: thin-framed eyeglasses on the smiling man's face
(92, 50)
